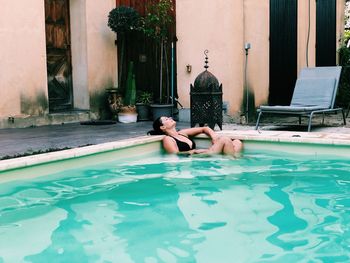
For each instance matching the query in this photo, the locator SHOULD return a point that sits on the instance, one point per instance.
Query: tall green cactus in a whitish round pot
(127, 113)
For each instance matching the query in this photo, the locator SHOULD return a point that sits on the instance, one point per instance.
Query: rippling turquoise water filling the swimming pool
(259, 208)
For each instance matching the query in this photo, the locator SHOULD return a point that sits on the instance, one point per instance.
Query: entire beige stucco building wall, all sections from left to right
(220, 26)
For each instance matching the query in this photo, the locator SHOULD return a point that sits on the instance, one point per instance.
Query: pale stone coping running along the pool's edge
(247, 135)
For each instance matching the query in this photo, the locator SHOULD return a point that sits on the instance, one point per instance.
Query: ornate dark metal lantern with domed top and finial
(206, 99)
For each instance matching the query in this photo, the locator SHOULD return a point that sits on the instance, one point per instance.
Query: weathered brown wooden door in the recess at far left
(59, 68)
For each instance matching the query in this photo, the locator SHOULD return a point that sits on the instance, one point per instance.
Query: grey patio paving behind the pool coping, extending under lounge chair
(26, 141)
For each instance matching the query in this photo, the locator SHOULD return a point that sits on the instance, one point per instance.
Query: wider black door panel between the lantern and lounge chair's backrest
(283, 51)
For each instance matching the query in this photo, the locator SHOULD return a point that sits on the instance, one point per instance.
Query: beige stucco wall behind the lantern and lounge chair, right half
(223, 27)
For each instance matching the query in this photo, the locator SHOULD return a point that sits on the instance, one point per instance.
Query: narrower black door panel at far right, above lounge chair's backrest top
(326, 33)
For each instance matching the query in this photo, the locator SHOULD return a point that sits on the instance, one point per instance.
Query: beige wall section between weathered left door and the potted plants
(94, 54)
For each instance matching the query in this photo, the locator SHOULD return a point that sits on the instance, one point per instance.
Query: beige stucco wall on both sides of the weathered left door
(23, 73)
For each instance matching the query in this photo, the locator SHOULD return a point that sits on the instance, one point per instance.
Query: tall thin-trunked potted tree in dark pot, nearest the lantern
(155, 25)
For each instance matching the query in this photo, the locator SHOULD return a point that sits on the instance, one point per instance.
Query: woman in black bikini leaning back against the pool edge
(180, 141)
